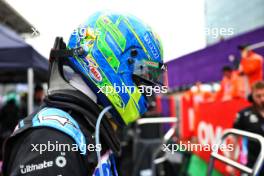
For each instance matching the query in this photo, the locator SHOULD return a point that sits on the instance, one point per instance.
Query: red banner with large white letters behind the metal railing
(212, 120)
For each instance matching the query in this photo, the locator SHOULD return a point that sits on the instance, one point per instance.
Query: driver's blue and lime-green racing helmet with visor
(120, 52)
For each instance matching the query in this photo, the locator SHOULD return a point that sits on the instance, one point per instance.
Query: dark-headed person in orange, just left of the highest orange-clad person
(229, 86)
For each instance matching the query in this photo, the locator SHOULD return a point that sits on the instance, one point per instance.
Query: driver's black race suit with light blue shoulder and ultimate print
(57, 140)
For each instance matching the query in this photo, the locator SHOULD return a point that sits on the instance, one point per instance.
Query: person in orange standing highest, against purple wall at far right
(251, 65)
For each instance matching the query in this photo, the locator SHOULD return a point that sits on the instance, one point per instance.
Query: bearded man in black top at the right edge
(252, 119)
